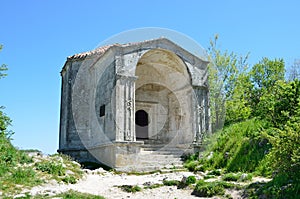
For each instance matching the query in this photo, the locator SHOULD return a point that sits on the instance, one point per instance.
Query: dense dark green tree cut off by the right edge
(281, 108)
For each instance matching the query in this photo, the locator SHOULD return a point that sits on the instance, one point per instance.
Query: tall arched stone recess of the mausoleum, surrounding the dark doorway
(163, 89)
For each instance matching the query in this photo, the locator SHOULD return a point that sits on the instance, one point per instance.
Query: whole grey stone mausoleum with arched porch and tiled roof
(134, 107)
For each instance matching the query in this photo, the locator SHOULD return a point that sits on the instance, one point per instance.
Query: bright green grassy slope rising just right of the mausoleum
(238, 148)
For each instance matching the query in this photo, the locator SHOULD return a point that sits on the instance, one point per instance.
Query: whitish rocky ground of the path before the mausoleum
(104, 183)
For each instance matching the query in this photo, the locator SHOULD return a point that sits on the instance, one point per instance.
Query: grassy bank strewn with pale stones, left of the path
(18, 170)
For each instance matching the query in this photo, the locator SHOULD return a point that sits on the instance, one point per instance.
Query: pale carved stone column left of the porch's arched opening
(125, 108)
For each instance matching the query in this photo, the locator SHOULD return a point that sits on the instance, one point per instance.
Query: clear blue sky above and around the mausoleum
(38, 35)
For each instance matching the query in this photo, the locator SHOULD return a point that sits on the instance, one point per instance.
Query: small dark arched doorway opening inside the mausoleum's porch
(141, 124)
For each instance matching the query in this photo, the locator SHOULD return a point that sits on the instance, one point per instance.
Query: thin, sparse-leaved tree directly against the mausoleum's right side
(226, 74)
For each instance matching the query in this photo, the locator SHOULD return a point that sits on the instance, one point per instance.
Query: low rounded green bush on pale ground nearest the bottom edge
(208, 189)
